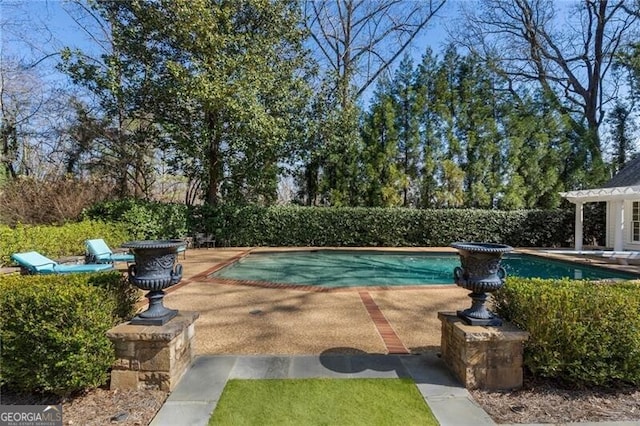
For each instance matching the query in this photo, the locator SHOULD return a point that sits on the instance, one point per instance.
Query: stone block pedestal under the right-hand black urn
(482, 357)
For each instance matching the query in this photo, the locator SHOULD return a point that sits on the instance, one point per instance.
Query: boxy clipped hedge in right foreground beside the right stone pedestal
(582, 332)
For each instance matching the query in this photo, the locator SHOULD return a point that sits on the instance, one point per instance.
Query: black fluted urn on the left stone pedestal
(155, 269)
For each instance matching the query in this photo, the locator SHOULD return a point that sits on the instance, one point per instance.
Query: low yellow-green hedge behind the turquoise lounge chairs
(58, 241)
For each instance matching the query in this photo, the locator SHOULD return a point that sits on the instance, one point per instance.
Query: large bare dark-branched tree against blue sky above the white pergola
(568, 51)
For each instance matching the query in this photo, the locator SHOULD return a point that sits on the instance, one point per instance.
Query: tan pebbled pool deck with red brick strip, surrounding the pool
(252, 320)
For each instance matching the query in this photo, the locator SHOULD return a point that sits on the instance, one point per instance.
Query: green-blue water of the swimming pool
(350, 268)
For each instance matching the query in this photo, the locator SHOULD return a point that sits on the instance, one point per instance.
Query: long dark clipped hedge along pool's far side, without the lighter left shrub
(291, 226)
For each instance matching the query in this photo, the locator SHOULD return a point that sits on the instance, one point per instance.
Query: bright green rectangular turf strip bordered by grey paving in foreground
(322, 402)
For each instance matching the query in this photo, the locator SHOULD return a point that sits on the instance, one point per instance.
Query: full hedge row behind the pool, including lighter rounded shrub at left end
(315, 226)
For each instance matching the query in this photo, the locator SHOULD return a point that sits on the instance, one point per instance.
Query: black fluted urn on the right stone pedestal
(482, 273)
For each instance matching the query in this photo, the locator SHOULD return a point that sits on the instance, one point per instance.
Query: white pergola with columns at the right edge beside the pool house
(616, 196)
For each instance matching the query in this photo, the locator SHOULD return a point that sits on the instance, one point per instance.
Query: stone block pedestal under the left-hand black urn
(153, 357)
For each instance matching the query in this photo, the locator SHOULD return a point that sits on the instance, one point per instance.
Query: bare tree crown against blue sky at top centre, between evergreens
(357, 40)
